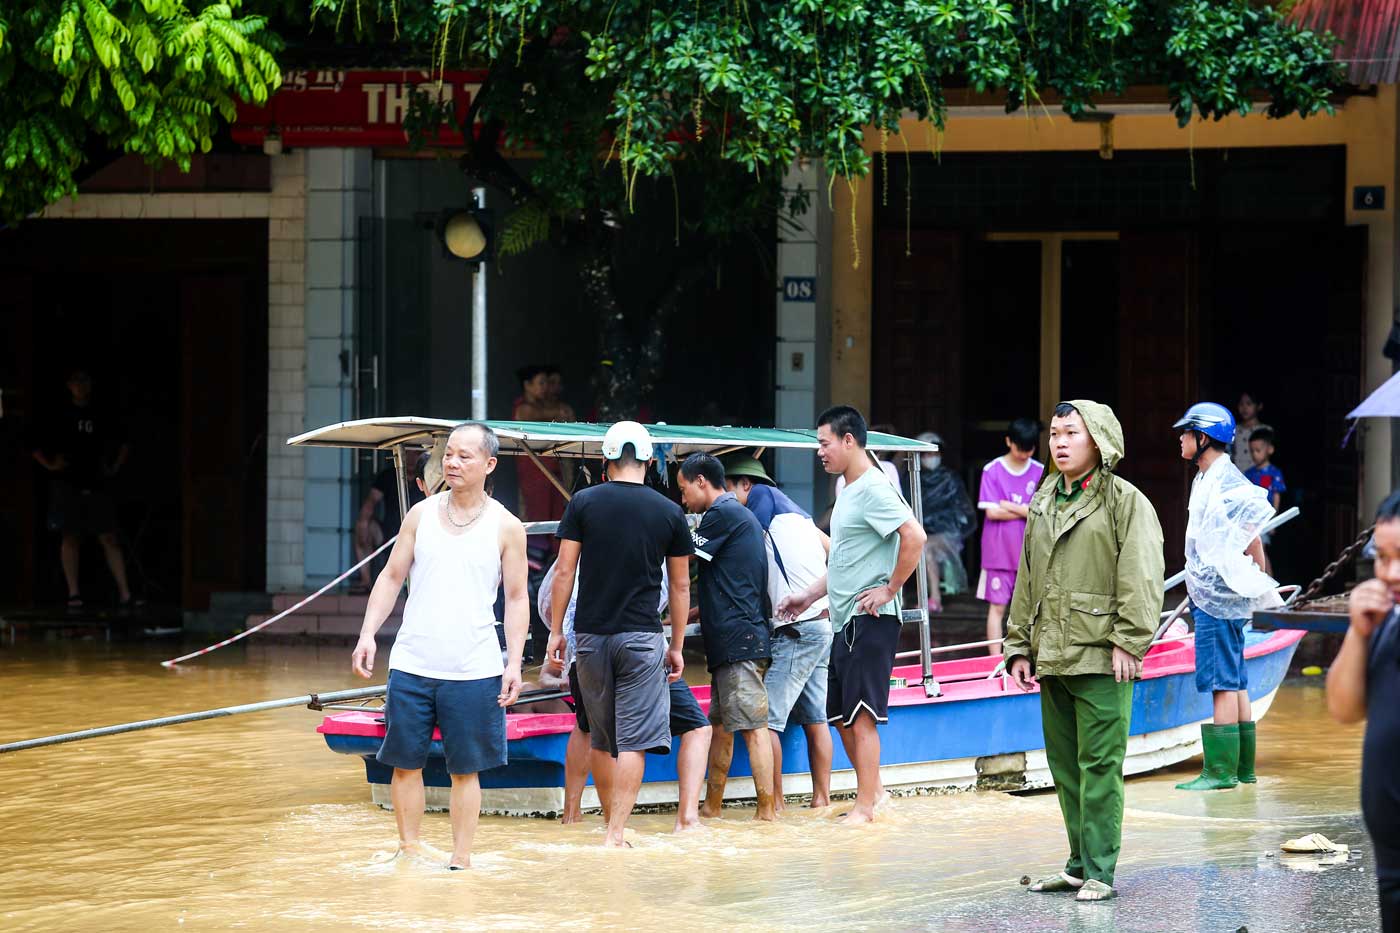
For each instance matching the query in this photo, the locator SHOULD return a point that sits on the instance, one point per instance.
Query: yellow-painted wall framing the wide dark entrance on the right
(1366, 125)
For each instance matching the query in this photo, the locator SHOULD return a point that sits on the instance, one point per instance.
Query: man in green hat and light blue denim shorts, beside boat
(801, 649)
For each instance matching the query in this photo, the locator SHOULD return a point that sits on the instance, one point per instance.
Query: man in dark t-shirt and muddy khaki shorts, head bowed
(734, 621)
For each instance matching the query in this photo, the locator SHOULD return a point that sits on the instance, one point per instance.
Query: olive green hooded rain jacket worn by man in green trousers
(1091, 569)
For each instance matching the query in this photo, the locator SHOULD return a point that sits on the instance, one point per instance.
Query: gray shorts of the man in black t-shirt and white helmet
(624, 683)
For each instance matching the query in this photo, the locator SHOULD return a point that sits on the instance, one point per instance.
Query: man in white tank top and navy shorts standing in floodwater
(446, 669)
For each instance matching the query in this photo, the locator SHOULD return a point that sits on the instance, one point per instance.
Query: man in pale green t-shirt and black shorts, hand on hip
(876, 546)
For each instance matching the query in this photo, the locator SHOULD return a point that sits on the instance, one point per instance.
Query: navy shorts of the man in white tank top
(472, 725)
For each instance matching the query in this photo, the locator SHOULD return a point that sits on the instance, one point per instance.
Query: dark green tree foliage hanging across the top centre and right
(759, 83)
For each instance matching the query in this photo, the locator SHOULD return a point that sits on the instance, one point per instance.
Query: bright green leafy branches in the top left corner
(80, 79)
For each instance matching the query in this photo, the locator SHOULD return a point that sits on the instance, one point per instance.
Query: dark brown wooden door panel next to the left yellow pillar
(916, 352)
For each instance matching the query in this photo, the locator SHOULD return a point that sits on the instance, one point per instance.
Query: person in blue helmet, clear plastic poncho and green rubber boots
(1226, 582)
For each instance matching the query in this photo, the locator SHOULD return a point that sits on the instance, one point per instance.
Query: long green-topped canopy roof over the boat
(576, 439)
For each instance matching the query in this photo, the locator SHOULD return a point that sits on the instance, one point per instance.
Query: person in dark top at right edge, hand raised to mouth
(1364, 684)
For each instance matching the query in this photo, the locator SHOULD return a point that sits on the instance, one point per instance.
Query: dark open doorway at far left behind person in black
(171, 319)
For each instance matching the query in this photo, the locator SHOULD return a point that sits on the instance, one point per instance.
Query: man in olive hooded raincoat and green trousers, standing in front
(1084, 611)
